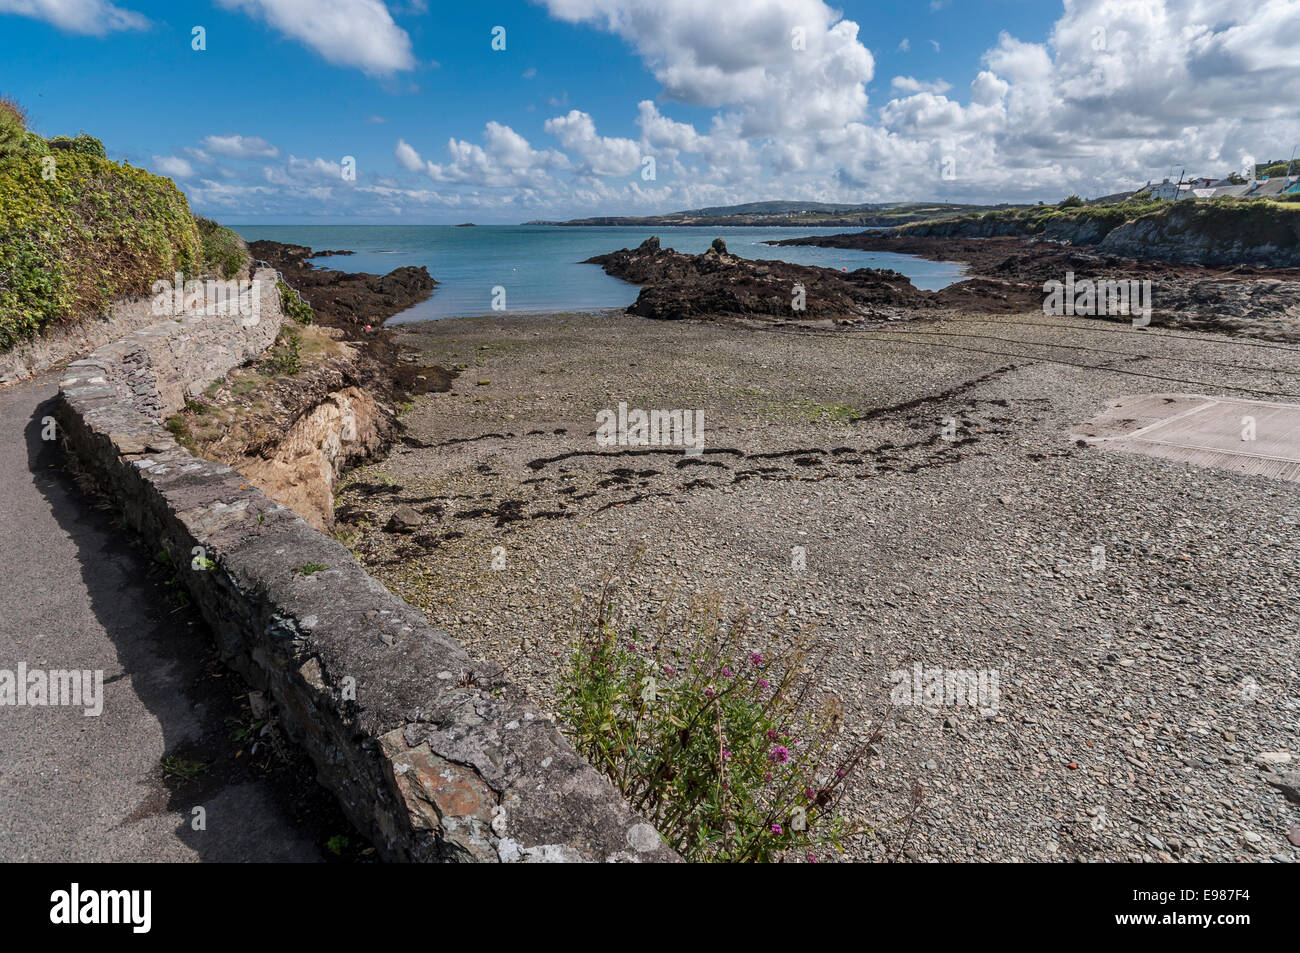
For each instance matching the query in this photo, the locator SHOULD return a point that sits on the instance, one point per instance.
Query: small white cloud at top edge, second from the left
(348, 33)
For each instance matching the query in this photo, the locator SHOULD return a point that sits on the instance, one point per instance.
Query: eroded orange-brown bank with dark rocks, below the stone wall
(328, 397)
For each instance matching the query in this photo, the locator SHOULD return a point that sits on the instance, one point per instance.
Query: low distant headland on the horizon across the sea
(794, 214)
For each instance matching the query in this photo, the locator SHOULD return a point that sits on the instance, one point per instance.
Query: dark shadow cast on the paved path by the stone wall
(245, 792)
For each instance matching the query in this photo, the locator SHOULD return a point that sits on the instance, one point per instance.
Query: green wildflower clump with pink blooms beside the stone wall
(730, 751)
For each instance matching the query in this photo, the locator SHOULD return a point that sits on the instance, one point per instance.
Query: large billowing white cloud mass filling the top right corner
(1121, 93)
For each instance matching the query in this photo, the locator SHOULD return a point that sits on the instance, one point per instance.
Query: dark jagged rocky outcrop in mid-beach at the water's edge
(722, 285)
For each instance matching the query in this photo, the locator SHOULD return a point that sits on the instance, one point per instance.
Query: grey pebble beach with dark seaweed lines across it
(947, 521)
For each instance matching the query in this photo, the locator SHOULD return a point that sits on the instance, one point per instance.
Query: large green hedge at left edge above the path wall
(79, 231)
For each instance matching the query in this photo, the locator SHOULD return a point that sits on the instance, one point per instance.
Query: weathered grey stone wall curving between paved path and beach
(432, 756)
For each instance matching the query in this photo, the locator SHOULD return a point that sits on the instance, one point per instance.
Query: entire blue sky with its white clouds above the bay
(960, 99)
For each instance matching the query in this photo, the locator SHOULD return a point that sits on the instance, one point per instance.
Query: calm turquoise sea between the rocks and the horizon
(539, 265)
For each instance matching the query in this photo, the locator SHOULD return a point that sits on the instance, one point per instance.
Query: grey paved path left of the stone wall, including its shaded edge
(76, 595)
